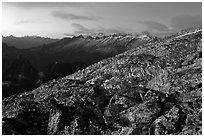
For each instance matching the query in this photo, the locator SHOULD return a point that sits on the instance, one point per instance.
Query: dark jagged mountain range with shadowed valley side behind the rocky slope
(57, 59)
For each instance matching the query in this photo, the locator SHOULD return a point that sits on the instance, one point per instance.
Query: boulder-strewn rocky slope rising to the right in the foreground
(152, 89)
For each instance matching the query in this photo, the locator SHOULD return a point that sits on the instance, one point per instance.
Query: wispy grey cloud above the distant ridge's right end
(151, 25)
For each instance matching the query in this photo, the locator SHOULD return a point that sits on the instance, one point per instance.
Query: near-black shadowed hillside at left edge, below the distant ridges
(17, 73)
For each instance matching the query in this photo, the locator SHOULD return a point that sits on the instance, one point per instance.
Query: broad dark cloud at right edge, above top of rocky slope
(186, 21)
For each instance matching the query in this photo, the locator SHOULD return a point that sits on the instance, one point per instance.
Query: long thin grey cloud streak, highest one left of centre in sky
(68, 16)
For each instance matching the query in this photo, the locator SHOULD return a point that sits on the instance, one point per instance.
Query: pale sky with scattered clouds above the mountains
(64, 19)
